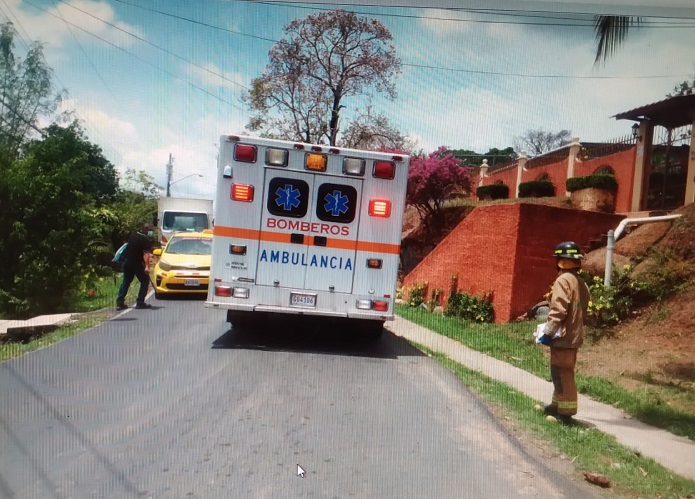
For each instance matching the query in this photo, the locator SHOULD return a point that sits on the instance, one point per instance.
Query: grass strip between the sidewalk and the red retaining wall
(514, 343)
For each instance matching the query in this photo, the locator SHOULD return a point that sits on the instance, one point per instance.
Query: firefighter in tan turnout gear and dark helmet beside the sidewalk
(564, 330)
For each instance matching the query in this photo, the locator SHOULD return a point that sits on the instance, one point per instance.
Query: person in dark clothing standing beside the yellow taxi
(136, 264)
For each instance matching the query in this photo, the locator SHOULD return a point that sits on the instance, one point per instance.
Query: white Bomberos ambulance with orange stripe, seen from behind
(306, 229)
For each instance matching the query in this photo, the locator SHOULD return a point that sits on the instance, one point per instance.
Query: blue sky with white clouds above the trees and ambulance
(150, 78)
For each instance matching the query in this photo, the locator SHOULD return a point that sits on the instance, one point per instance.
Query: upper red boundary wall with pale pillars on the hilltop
(623, 164)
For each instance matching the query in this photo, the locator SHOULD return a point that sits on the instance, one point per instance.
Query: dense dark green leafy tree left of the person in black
(54, 226)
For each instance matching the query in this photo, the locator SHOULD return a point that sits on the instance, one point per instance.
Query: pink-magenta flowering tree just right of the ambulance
(434, 178)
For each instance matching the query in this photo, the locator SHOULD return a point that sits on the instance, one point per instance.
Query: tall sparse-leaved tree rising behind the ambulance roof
(322, 60)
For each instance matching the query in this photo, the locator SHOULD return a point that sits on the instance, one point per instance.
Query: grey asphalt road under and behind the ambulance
(171, 403)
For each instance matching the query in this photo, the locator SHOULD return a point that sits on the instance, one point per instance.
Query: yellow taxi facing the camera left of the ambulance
(184, 264)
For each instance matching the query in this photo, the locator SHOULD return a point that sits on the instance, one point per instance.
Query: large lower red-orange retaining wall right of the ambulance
(507, 249)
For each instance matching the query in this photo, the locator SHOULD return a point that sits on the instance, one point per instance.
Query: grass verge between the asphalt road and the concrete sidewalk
(589, 449)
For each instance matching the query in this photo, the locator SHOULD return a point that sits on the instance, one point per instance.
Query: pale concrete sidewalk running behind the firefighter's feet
(673, 452)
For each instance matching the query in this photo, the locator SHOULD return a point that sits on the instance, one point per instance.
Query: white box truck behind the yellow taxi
(182, 215)
